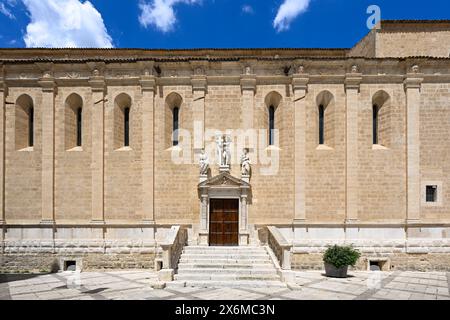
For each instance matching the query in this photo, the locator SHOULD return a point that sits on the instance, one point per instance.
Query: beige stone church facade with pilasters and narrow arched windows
(104, 200)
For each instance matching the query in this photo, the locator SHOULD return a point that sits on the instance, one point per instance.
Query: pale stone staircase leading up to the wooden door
(202, 266)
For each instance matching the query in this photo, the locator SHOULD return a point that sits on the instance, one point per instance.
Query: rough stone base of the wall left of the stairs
(42, 262)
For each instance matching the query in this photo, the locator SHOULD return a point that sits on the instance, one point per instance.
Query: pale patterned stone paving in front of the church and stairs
(131, 285)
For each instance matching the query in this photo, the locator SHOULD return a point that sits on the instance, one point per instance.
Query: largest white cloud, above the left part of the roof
(65, 23)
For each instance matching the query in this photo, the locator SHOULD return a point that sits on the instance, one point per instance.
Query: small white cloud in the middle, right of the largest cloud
(160, 13)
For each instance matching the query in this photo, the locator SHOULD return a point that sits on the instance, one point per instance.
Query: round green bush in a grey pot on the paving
(338, 258)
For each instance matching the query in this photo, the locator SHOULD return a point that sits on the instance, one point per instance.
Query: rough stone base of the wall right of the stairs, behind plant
(397, 261)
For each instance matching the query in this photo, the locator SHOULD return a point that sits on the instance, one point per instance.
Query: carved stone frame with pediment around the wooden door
(224, 186)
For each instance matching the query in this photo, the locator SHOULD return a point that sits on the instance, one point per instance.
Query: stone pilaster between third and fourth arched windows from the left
(148, 85)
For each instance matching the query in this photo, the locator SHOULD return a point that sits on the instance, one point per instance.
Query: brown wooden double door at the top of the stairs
(224, 222)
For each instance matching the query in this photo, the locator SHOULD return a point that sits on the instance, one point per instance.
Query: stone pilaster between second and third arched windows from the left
(98, 88)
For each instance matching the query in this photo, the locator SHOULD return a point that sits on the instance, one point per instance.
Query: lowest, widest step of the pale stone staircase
(226, 284)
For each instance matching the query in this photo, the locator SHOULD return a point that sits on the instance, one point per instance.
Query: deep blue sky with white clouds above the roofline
(199, 23)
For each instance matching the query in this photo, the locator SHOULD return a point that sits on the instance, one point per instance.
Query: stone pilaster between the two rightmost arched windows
(352, 83)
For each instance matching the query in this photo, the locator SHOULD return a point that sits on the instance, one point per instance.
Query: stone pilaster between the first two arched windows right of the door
(299, 87)
